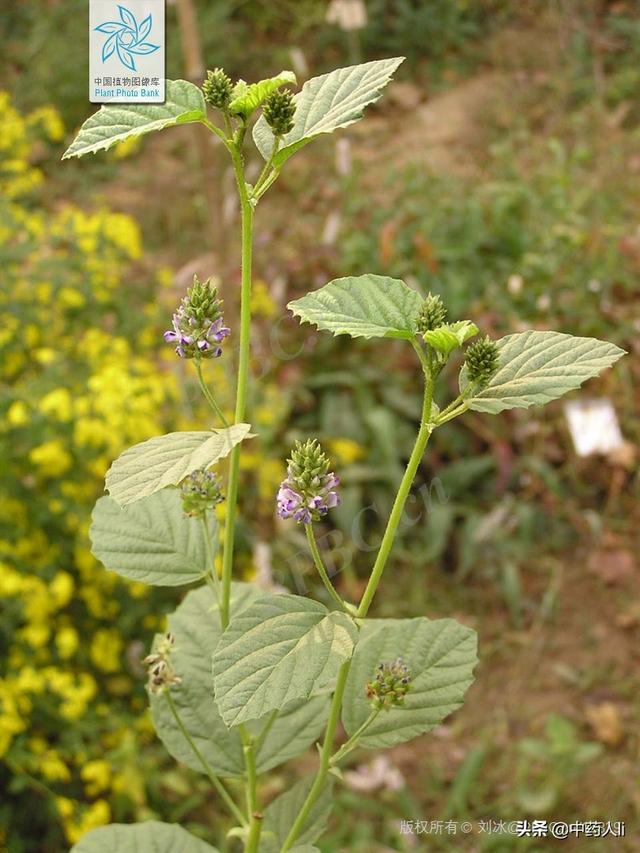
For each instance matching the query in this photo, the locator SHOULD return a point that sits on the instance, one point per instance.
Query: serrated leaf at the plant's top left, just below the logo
(114, 123)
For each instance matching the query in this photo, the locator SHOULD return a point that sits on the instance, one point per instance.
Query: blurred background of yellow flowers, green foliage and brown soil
(501, 171)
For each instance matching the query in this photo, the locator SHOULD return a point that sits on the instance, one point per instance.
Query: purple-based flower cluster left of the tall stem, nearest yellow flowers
(198, 325)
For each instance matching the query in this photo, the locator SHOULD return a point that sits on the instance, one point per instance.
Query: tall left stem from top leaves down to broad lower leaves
(243, 378)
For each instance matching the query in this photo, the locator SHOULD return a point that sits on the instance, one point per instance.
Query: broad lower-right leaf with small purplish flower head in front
(441, 655)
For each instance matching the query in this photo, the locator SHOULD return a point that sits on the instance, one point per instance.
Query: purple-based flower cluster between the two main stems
(309, 490)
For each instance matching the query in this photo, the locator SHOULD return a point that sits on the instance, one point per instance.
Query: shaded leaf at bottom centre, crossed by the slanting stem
(282, 812)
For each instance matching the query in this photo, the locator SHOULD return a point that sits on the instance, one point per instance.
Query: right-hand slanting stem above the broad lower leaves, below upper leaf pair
(426, 428)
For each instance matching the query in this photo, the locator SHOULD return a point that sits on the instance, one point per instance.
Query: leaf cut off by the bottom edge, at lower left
(149, 837)
